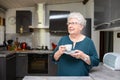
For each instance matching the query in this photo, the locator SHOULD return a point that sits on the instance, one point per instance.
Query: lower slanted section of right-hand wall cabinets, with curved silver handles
(113, 25)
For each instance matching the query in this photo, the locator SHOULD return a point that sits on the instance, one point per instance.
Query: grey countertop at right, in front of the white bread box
(103, 73)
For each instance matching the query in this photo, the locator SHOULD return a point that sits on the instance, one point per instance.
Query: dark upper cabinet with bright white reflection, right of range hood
(58, 21)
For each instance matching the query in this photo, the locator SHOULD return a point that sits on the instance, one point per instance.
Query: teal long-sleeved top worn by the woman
(70, 66)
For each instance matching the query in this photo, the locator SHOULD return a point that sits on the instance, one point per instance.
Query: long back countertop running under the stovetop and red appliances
(6, 53)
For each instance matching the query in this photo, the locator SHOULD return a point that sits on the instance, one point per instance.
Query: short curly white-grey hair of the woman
(77, 16)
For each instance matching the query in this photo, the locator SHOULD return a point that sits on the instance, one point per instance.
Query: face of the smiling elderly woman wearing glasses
(74, 27)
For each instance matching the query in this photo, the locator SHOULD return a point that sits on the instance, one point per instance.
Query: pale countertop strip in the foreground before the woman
(55, 78)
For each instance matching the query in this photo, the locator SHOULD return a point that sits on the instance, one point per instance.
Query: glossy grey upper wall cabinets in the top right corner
(107, 15)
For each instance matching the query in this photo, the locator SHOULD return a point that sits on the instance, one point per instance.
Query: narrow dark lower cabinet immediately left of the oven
(21, 65)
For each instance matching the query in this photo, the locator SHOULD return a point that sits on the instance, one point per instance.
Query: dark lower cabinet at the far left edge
(8, 67)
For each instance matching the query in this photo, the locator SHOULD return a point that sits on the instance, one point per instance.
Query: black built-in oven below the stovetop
(37, 63)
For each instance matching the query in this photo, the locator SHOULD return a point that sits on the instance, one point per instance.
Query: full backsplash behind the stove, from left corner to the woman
(38, 38)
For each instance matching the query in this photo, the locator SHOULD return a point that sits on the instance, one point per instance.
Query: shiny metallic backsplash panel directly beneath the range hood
(41, 37)
